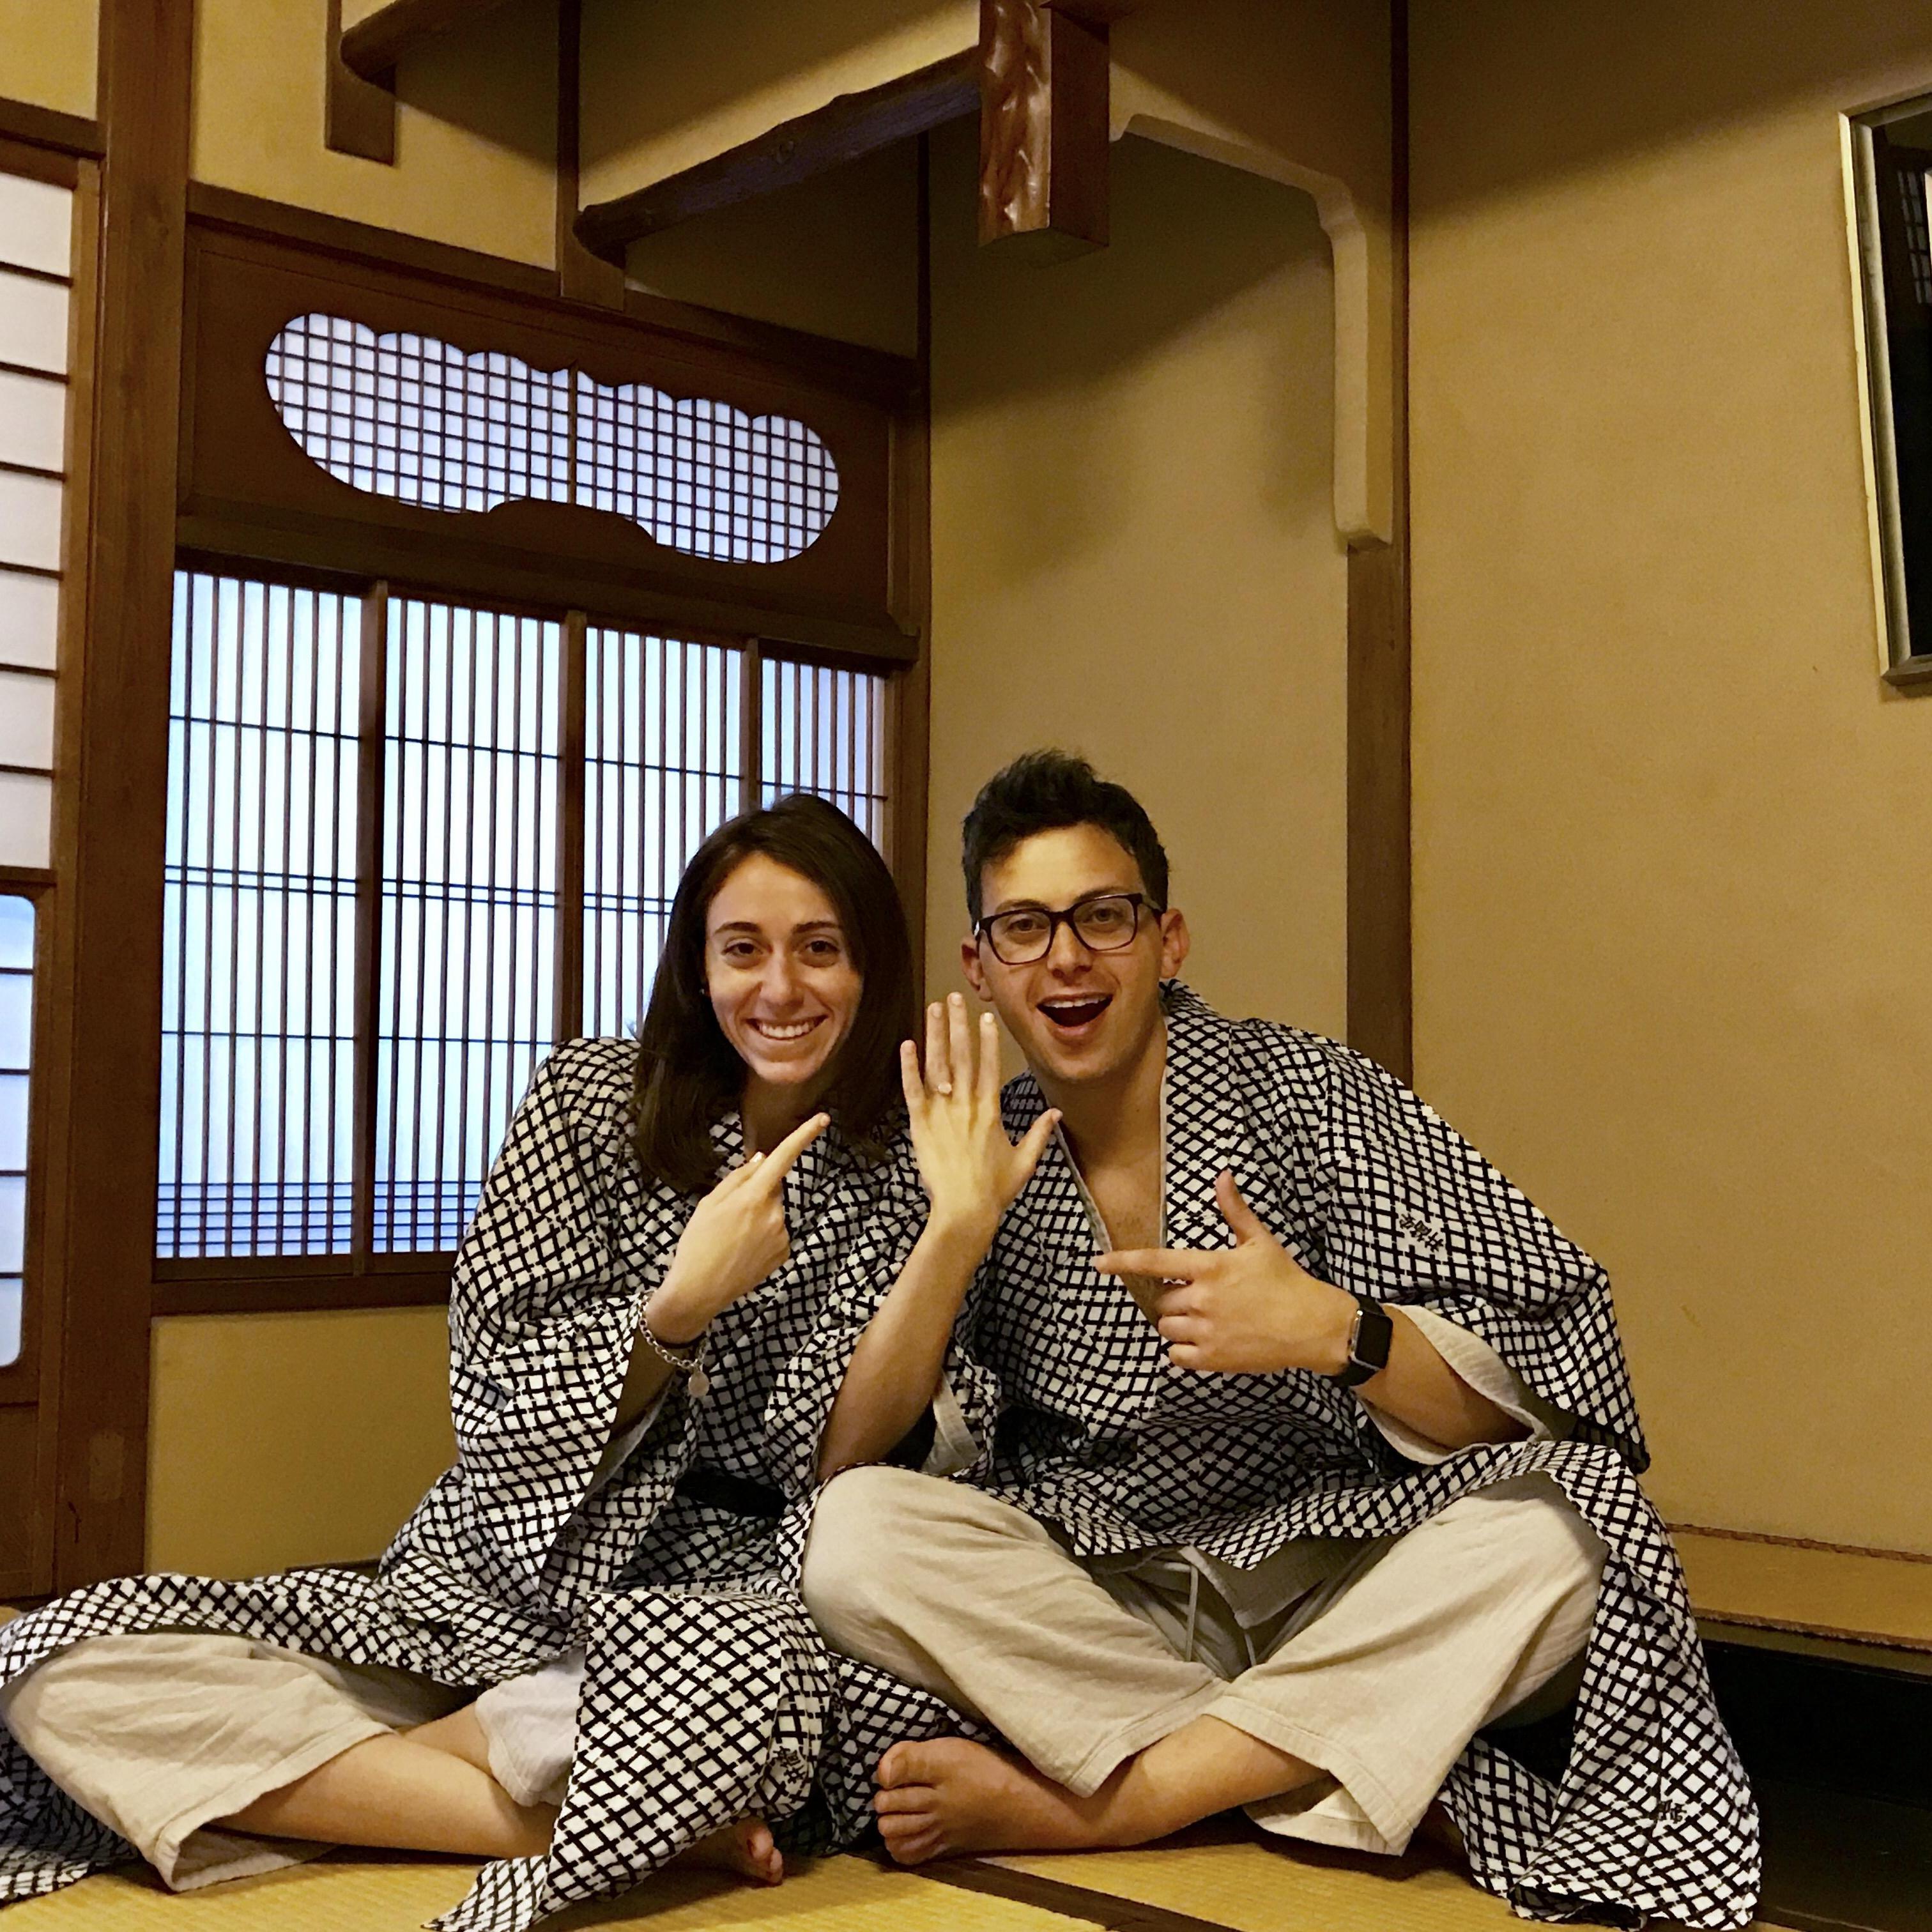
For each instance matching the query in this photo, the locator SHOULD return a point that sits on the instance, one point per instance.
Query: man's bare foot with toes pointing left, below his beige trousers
(953, 1796)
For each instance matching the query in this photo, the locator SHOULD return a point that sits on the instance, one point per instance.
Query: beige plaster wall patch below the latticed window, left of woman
(283, 1440)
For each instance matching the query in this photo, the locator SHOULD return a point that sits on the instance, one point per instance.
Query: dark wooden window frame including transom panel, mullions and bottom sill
(252, 505)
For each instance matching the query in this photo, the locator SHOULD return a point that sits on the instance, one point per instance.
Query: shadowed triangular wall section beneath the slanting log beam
(838, 256)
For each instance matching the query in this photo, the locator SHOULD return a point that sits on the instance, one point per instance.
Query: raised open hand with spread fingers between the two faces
(967, 1164)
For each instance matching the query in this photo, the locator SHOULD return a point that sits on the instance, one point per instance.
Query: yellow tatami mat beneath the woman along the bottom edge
(397, 1894)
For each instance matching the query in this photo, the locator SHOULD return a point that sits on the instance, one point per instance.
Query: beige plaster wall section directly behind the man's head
(1135, 552)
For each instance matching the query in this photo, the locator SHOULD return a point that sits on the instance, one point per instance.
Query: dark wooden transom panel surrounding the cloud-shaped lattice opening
(252, 496)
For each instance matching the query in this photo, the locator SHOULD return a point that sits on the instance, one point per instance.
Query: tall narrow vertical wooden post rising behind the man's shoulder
(1380, 895)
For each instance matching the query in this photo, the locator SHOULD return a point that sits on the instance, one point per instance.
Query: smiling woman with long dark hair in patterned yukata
(654, 1307)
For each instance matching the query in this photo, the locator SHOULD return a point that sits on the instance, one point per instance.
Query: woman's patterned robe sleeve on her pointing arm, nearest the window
(544, 1303)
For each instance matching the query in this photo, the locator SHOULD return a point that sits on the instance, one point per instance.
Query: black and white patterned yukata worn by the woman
(706, 1695)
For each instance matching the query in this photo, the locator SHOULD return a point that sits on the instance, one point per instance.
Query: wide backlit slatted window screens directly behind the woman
(366, 946)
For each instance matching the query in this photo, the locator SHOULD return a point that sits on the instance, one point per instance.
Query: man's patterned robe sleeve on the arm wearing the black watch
(1413, 1214)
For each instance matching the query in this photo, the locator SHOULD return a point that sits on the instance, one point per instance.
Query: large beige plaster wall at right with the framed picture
(1672, 890)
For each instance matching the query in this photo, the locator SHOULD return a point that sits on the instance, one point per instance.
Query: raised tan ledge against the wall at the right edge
(1800, 1587)
